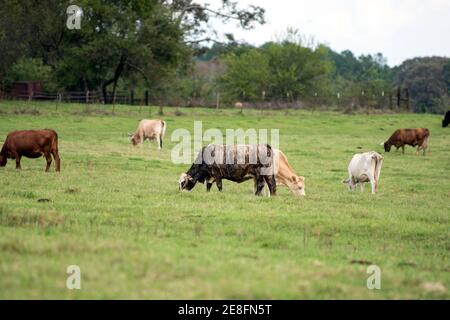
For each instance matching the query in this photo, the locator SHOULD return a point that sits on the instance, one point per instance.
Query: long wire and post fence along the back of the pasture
(390, 101)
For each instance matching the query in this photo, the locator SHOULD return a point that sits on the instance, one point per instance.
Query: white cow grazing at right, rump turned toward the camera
(364, 167)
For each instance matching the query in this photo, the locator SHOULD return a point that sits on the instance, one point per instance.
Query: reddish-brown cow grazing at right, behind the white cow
(413, 137)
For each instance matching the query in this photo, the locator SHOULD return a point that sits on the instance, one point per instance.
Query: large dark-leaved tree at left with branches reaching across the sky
(116, 39)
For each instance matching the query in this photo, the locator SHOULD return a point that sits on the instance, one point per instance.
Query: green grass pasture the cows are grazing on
(116, 212)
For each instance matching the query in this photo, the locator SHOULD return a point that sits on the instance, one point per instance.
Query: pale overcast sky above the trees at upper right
(400, 29)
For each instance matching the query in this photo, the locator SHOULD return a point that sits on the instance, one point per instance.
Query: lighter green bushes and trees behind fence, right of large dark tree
(290, 74)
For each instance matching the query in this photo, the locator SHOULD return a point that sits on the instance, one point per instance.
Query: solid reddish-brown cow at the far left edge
(31, 144)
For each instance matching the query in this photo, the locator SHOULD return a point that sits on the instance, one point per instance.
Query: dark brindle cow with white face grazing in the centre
(235, 163)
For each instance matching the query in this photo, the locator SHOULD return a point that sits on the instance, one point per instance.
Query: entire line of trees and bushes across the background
(162, 47)
